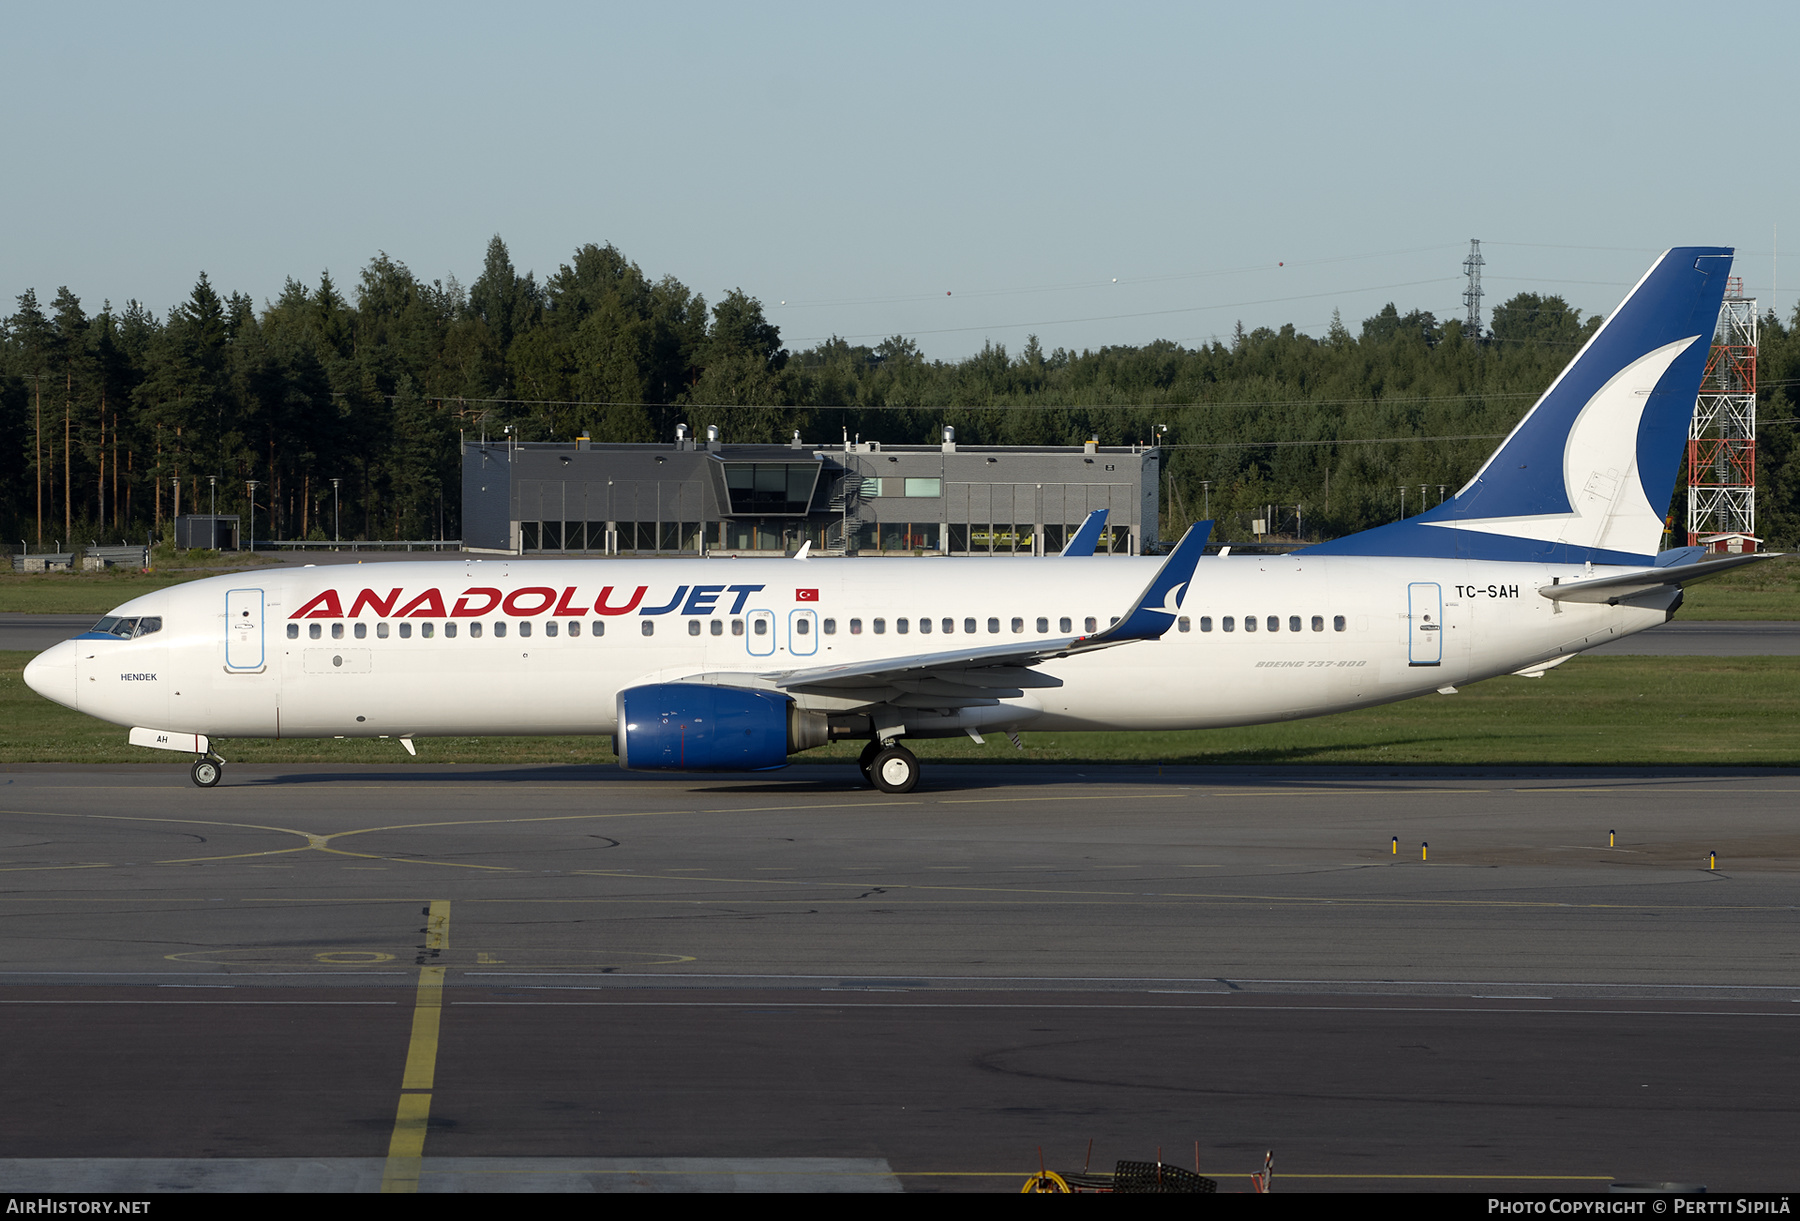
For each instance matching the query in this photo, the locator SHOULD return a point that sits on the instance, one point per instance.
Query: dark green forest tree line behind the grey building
(346, 406)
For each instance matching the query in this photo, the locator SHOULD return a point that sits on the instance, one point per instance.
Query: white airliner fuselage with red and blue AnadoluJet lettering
(1369, 631)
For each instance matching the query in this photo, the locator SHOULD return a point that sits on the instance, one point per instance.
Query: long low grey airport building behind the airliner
(863, 498)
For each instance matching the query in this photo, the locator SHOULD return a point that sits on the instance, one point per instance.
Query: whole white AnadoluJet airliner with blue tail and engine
(732, 665)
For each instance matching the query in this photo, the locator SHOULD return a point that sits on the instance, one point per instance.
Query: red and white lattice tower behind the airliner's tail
(1723, 437)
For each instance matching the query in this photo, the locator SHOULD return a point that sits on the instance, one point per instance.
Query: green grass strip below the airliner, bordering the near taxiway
(1592, 710)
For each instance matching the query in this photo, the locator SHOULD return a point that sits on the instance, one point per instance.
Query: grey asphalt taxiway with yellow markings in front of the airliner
(444, 979)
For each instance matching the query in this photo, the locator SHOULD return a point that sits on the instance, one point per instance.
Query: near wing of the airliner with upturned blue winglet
(994, 673)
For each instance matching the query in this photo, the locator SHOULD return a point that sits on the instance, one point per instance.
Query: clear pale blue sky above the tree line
(1092, 174)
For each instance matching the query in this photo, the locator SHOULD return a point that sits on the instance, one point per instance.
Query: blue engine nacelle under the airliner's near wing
(696, 727)
